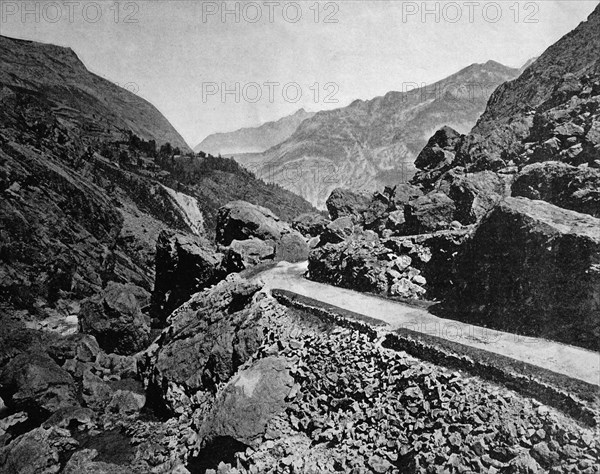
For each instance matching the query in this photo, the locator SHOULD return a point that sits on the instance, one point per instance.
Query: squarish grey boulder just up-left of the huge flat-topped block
(429, 213)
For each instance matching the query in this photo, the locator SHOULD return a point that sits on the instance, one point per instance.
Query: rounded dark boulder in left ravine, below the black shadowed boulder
(114, 317)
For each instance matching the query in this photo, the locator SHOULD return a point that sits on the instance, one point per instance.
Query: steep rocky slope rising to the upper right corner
(548, 111)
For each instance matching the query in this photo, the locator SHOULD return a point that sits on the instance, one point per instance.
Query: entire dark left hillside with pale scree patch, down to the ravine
(87, 185)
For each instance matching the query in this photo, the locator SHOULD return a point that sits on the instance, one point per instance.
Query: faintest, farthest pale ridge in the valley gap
(253, 139)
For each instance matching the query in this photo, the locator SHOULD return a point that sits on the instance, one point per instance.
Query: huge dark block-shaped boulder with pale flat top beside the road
(533, 268)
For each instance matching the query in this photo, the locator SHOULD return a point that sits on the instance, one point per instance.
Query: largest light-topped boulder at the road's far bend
(240, 220)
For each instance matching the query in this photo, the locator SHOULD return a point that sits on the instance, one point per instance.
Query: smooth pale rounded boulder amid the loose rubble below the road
(249, 401)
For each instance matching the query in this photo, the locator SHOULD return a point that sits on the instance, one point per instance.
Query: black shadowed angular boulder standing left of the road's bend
(185, 264)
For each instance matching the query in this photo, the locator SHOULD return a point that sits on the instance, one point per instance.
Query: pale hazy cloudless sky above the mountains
(178, 54)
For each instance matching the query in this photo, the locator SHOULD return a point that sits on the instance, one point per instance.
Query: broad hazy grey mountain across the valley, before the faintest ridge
(374, 143)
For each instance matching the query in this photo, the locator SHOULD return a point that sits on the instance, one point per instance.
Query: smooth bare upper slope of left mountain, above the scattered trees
(99, 106)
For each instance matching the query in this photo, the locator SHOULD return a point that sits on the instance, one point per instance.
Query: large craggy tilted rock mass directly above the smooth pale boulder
(208, 338)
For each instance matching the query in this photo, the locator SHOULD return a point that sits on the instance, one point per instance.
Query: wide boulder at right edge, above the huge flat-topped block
(561, 184)
